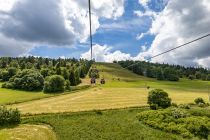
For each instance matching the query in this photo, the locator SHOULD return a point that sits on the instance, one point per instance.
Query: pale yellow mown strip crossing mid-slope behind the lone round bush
(100, 98)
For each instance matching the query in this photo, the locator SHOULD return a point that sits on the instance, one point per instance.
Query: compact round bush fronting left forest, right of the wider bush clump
(53, 84)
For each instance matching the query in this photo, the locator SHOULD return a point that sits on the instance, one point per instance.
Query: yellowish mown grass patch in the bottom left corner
(28, 132)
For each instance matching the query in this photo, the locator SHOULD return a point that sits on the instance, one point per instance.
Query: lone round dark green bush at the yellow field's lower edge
(158, 98)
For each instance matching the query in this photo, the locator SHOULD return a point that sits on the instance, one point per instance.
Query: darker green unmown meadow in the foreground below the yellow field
(110, 124)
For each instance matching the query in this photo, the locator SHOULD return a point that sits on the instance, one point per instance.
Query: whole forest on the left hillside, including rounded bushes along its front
(37, 73)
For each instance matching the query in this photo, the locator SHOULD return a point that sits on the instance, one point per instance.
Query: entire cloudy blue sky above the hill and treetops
(122, 29)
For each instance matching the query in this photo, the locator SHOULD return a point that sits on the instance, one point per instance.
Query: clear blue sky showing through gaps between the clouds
(123, 39)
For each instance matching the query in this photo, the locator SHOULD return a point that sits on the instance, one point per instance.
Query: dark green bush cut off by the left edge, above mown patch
(9, 116)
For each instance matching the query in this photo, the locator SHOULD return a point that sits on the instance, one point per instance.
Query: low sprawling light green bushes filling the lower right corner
(177, 121)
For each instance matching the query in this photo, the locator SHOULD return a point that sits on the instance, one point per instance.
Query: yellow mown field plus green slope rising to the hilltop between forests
(129, 91)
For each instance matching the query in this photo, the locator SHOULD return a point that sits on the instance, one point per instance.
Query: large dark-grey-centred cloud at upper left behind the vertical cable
(53, 22)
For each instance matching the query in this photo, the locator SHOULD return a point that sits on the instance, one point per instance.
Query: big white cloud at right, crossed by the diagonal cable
(180, 22)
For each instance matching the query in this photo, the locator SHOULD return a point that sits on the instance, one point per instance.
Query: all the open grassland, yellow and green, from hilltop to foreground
(123, 89)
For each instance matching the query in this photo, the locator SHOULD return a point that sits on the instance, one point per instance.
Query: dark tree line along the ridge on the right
(165, 71)
